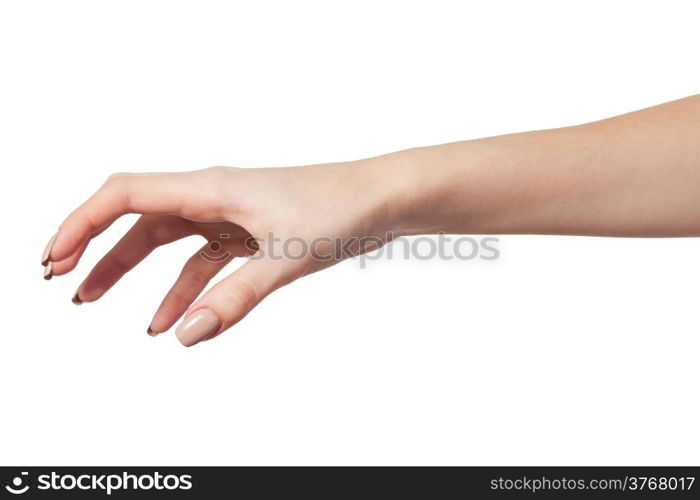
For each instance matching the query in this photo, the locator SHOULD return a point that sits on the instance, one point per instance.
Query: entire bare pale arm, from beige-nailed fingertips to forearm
(633, 175)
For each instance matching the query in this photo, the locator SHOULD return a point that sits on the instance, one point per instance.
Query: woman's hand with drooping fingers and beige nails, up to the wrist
(290, 218)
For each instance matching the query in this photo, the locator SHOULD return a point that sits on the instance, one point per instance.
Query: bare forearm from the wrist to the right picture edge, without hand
(632, 175)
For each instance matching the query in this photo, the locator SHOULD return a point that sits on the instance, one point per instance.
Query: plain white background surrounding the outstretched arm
(567, 350)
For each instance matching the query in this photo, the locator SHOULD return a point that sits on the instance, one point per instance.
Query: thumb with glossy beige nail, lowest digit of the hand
(227, 302)
